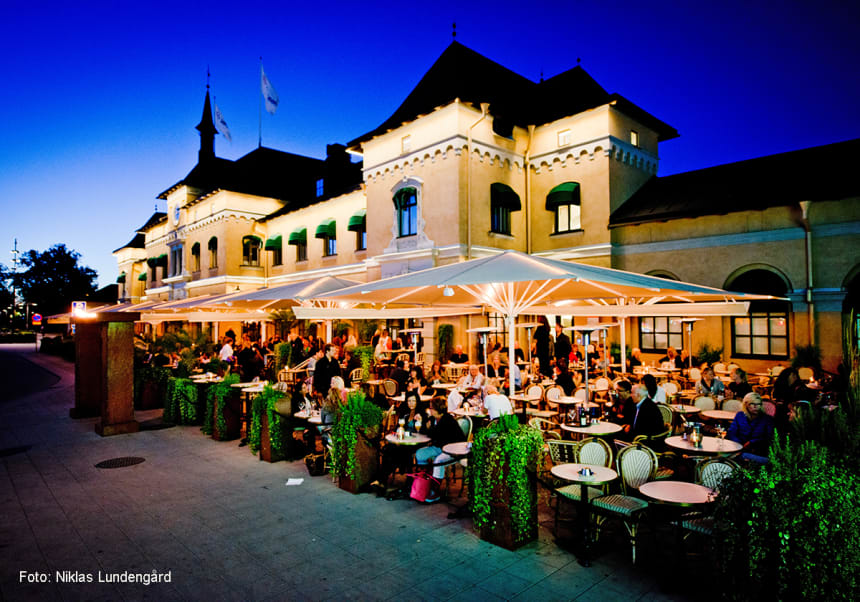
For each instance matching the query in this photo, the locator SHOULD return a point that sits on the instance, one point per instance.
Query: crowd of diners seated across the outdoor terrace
(631, 402)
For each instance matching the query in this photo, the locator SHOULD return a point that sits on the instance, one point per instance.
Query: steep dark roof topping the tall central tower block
(462, 73)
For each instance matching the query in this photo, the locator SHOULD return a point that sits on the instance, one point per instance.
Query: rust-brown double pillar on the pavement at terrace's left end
(104, 371)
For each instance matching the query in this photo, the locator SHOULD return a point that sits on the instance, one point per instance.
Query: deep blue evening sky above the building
(98, 99)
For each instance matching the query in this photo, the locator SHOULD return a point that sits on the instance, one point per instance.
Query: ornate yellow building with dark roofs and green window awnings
(477, 159)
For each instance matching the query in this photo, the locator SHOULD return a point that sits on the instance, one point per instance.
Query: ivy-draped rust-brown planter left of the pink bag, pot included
(354, 438)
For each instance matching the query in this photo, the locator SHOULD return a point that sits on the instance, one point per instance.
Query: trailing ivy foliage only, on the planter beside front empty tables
(503, 454)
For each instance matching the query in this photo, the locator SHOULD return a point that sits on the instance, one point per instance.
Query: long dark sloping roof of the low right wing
(817, 173)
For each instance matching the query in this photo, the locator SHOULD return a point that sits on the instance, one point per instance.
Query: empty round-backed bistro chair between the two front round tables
(636, 465)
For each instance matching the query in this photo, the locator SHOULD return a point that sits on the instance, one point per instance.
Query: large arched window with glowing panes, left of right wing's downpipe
(763, 333)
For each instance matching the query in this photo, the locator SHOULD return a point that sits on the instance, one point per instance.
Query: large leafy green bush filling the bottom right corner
(790, 530)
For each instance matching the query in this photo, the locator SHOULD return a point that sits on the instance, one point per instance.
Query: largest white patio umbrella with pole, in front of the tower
(514, 283)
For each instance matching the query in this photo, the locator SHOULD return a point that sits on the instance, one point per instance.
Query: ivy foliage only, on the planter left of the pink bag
(357, 414)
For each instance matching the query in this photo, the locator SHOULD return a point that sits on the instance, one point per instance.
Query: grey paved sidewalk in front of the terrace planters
(225, 526)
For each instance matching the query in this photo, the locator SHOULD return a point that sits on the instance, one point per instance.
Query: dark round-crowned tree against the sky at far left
(53, 279)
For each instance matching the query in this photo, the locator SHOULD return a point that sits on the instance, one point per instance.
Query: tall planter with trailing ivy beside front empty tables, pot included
(505, 456)
